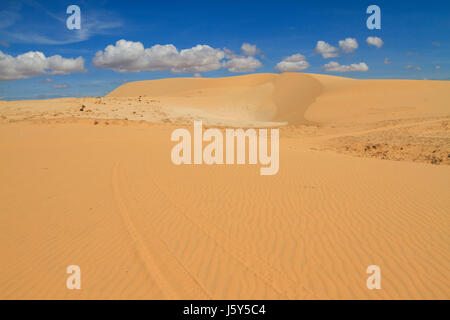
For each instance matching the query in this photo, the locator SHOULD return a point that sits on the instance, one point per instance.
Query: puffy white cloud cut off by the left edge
(35, 63)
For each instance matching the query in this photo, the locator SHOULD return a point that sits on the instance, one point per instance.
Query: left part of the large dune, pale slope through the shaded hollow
(281, 98)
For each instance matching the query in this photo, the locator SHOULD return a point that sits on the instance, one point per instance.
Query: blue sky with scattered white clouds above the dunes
(121, 41)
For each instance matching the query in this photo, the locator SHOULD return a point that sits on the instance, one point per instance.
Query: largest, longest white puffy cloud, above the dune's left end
(129, 56)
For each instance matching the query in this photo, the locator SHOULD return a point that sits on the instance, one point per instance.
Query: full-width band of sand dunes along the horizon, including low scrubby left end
(251, 100)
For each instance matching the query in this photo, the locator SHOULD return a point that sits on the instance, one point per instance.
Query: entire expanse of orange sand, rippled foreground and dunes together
(102, 193)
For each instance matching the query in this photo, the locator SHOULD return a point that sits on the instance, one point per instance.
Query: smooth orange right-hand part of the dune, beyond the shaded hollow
(345, 100)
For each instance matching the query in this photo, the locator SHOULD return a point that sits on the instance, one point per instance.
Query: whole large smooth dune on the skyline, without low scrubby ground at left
(295, 98)
